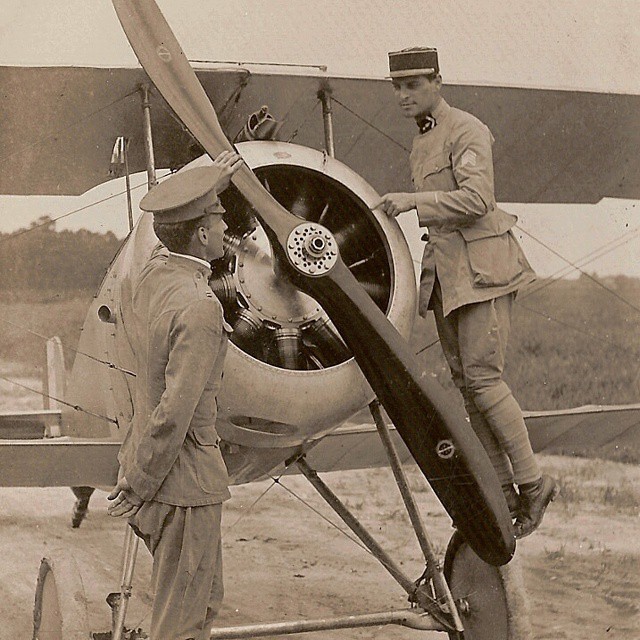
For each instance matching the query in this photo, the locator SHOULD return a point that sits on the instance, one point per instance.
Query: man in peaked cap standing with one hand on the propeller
(173, 478)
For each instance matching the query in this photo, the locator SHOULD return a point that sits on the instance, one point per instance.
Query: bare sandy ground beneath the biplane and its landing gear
(284, 561)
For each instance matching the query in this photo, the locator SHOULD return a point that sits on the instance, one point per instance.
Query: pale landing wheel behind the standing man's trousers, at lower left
(60, 611)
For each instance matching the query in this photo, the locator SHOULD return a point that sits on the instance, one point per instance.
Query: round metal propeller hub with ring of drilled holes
(312, 249)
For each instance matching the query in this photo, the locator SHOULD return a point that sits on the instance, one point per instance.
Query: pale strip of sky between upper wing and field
(607, 234)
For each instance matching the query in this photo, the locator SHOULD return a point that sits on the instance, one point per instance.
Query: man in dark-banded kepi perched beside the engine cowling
(471, 270)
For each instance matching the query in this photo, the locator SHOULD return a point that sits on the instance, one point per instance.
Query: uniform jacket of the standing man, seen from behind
(171, 453)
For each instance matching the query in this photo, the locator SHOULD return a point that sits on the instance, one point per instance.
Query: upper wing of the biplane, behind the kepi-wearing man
(59, 125)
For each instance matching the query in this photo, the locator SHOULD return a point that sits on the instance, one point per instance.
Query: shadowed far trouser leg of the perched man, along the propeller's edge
(448, 334)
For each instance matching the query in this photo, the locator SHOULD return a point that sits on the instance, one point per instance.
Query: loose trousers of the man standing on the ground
(187, 570)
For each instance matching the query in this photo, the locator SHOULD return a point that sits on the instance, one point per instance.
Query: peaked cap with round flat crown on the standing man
(187, 195)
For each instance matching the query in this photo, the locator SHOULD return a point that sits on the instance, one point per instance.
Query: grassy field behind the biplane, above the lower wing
(572, 343)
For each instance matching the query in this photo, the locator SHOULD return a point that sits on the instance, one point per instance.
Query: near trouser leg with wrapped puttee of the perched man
(483, 332)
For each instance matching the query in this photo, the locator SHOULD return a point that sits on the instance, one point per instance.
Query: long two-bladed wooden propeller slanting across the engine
(445, 448)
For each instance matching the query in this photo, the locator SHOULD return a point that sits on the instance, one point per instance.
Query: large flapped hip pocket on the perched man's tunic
(494, 260)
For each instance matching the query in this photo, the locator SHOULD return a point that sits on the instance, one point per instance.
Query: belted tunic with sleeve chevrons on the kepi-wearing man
(471, 245)
